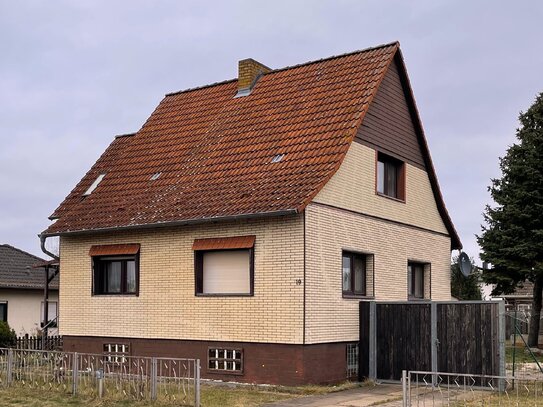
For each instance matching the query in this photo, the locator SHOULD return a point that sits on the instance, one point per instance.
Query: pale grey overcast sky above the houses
(75, 73)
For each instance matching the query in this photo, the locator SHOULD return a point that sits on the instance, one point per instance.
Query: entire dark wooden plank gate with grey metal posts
(455, 337)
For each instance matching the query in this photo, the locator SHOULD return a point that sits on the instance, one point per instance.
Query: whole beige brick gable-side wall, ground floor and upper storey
(348, 215)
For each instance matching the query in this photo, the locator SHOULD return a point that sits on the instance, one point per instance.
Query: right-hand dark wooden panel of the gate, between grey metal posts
(467, 337)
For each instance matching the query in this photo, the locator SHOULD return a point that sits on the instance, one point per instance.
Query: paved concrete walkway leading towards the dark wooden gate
(389, 395)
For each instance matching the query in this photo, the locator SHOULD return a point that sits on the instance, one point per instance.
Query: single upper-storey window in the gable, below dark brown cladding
(390, 177)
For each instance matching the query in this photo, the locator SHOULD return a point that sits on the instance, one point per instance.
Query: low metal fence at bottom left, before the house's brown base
(111, 376)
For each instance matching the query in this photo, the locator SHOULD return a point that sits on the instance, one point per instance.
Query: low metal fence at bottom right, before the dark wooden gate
(428, 389)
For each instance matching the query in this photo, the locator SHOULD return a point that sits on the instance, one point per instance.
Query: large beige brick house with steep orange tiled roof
(243, 223)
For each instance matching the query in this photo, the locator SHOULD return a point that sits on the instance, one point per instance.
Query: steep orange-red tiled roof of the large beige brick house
(218, 156)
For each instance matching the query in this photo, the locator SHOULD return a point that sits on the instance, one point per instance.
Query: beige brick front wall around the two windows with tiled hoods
(167, 306)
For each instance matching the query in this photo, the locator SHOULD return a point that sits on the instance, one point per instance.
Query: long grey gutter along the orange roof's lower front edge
(45, 235)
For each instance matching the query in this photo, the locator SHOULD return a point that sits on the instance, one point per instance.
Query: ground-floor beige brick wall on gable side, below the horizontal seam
(329, 316)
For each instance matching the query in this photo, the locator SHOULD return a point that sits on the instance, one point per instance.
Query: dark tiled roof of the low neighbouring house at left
(16, 270)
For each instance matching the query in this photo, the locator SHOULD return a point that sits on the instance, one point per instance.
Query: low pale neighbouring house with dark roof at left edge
(22, 291)
